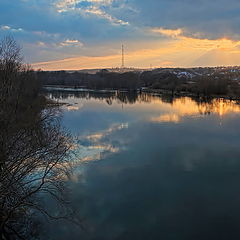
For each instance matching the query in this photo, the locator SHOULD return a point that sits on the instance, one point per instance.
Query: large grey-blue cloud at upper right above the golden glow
(209, 19)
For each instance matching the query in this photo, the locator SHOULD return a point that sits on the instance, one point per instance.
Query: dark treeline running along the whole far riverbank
(215, 83)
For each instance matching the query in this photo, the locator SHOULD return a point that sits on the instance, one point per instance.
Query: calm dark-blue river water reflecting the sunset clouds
(152, 168)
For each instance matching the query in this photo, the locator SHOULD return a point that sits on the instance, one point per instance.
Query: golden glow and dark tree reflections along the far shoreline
(183, 105)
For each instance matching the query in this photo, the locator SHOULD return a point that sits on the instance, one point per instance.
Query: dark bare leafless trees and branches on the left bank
(34, 150)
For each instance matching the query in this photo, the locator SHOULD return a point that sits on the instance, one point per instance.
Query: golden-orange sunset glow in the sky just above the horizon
(178, 51)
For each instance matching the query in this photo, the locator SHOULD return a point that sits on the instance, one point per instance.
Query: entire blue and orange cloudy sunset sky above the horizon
(88, 34)
